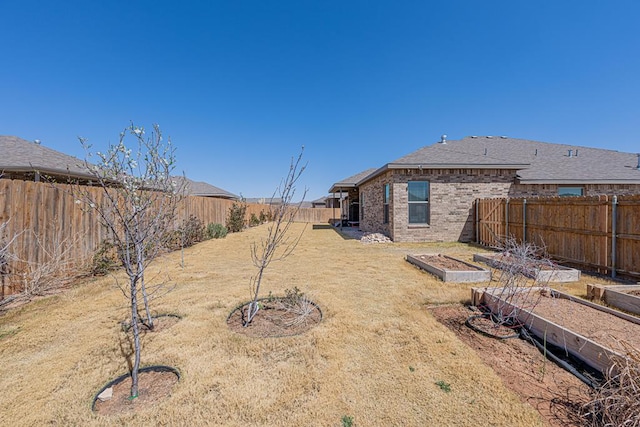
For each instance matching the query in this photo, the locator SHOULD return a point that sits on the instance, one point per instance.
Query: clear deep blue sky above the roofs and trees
(240, 86)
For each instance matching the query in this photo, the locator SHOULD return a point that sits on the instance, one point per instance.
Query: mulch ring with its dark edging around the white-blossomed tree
(154, 384)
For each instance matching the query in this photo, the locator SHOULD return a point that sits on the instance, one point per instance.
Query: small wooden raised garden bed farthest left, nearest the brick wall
(450, 269)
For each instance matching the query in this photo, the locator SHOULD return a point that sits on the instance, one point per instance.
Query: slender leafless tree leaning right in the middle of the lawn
(278, 244)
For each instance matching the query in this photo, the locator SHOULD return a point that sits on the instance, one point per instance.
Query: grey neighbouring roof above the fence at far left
(22, 156)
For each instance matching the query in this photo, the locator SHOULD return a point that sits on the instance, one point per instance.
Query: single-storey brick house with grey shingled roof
(429, 195)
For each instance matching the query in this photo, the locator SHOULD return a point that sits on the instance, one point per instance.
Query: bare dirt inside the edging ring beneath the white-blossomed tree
(153, 386)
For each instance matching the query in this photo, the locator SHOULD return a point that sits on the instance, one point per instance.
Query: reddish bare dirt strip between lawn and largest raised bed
(556, 394)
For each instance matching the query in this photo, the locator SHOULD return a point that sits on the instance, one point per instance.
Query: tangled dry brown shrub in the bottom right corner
(617, 401)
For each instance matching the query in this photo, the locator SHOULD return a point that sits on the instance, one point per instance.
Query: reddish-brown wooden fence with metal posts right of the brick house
(597, 233)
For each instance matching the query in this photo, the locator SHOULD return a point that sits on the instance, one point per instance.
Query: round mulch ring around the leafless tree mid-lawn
(273, 320)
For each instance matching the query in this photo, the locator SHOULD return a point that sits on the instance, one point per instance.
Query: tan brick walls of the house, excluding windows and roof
(452, 194)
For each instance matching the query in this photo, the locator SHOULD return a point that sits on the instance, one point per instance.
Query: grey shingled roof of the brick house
(536, 162)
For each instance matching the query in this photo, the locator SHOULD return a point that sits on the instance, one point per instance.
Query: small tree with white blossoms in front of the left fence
(139, 203)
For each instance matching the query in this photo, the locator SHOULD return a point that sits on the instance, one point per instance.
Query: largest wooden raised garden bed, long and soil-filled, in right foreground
(588, 331)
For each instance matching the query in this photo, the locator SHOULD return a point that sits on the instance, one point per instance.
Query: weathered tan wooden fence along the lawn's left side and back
(43, 221)
